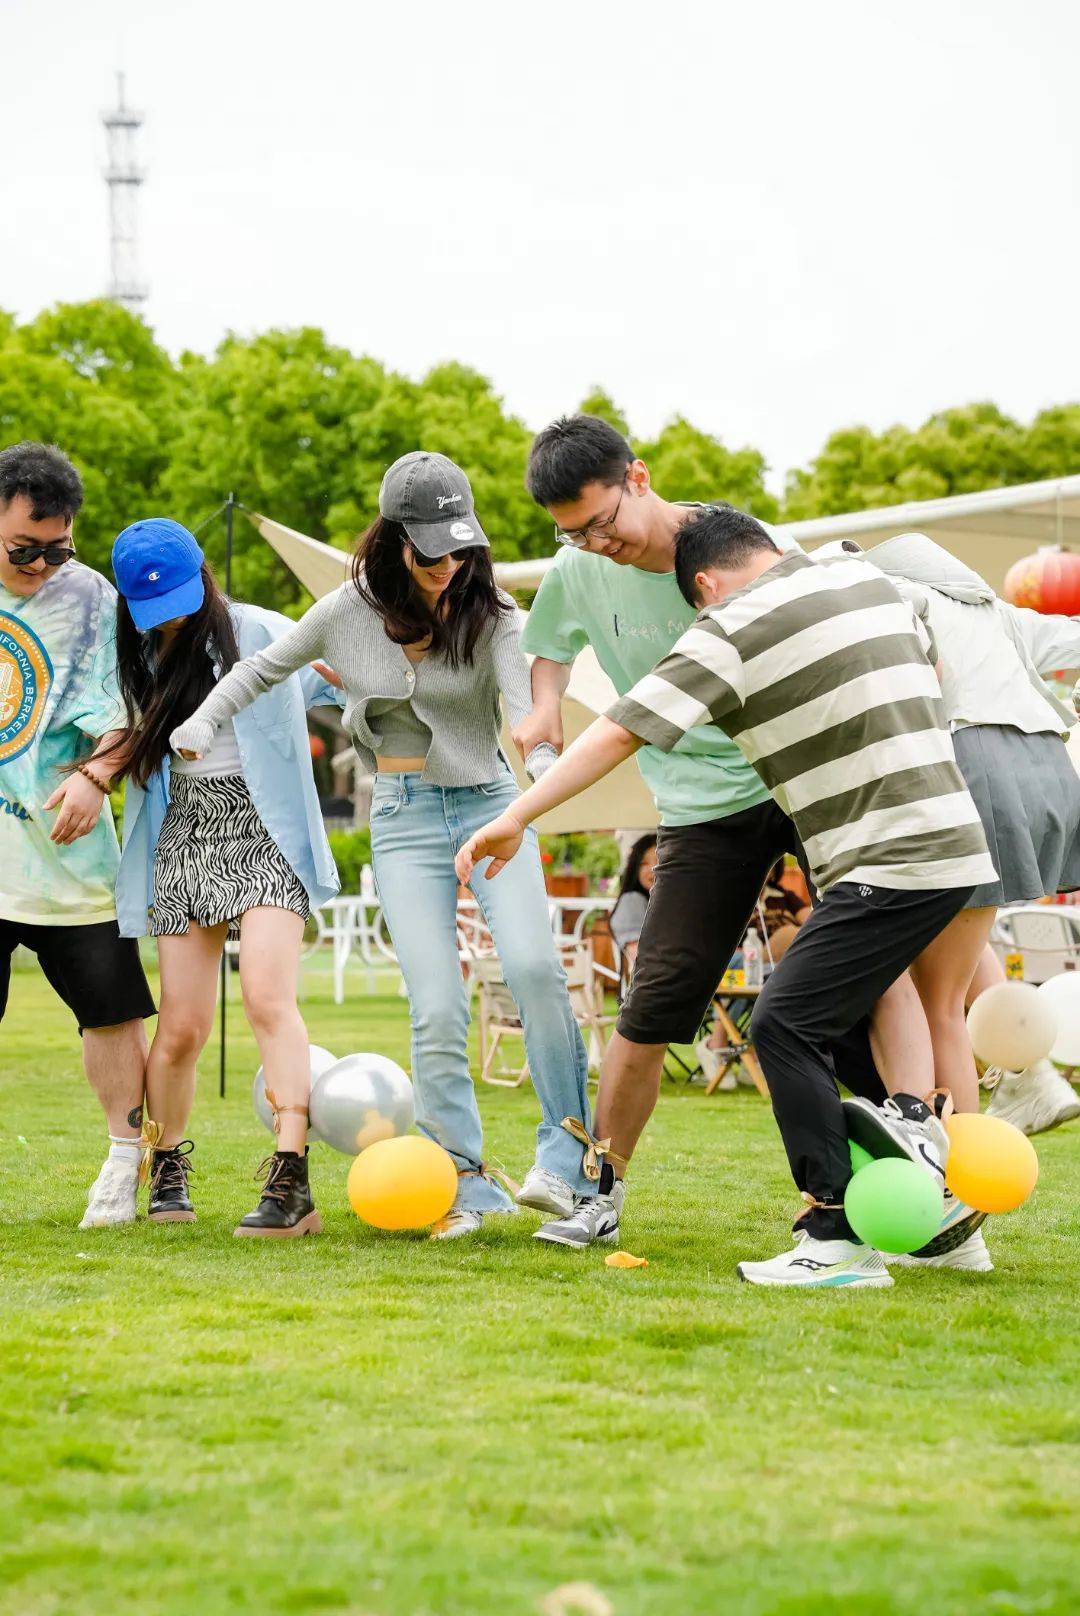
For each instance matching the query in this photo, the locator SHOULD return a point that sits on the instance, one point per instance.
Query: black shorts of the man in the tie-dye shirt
(96, 972)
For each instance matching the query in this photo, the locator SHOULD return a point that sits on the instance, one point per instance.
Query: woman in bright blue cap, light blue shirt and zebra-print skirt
(232, 840)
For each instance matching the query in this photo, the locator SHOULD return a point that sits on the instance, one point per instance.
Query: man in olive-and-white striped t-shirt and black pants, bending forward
(825, 680)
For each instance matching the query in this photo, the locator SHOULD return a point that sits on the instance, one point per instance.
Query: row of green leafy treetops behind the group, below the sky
(303, 431)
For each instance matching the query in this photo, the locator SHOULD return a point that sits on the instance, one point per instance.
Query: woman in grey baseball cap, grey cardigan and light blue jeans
(424, 646)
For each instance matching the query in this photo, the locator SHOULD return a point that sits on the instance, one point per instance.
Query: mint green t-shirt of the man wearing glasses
(633, 620)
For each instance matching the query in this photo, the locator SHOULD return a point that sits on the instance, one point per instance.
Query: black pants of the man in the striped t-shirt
(853, 948)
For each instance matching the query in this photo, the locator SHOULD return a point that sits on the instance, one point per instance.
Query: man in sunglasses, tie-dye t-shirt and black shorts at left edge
(59, 852)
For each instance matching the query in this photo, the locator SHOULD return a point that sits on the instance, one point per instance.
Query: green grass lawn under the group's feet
(381, 1426)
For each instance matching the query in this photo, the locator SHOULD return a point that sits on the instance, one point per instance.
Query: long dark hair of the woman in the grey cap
(470, 604)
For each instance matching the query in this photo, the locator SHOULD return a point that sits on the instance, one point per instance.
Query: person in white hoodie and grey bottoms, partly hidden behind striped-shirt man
(1010, 733)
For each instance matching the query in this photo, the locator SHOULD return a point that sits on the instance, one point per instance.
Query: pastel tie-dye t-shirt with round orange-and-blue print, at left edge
(57, 692)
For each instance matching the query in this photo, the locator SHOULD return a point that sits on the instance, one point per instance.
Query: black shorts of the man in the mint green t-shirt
(709, 878)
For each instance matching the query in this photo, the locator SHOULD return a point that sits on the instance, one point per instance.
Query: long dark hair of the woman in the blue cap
(162, 684)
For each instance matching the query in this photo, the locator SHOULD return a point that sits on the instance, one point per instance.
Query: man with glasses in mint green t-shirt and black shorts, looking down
(614, 587)
